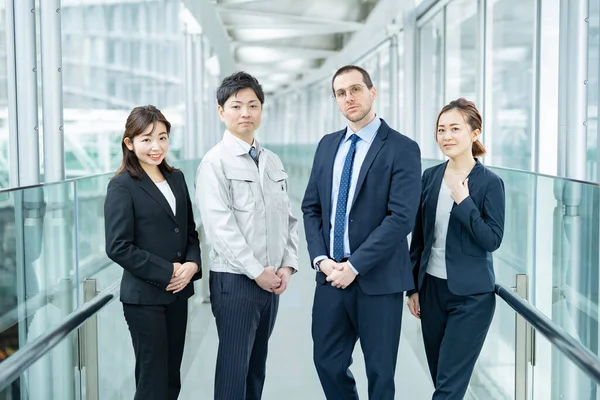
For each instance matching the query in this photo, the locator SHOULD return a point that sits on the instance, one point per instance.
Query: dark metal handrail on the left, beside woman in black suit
(18, 363)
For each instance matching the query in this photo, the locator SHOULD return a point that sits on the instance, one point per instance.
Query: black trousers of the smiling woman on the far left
(158, 336)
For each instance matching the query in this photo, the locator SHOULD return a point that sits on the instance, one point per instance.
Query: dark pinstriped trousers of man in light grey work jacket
(245, 316)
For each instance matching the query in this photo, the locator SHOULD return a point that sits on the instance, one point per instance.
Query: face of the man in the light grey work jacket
(242, 113)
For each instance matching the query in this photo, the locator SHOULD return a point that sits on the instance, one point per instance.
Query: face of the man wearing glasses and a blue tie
(353, 97)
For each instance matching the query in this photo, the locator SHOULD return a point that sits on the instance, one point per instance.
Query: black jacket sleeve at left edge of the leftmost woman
(119, 224)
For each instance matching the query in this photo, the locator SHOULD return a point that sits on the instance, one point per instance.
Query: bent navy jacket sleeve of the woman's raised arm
(487, 227)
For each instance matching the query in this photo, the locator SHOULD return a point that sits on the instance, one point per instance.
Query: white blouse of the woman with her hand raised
(437, 260)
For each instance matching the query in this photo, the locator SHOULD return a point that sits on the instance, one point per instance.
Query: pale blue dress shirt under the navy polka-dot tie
(366, 135)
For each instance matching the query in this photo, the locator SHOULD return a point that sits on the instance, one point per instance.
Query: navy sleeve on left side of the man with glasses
(313, 213)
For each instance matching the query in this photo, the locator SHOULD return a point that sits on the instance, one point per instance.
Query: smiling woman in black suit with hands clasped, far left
(150, 232)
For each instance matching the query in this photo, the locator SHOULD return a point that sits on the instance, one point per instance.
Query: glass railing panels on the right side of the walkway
(551, 235)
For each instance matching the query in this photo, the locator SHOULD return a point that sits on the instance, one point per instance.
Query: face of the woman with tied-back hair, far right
(454, 136)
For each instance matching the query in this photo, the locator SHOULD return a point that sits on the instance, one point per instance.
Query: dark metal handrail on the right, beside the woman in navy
(584, 358)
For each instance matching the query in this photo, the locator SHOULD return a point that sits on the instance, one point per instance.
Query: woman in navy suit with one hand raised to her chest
(460, 222)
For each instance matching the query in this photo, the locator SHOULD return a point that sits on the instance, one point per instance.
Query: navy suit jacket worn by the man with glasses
(382, 213)
